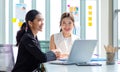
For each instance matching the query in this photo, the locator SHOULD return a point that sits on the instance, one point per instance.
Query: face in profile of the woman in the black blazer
(37, 23)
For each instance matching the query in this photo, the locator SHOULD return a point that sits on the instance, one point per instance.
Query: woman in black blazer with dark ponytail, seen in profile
(29, 54)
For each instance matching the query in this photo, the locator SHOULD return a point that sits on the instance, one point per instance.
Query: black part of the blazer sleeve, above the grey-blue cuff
(32, 48)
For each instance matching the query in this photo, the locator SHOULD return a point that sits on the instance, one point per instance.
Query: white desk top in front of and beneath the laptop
(73, 68)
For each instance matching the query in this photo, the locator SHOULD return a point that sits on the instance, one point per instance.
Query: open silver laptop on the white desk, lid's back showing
(81, 53)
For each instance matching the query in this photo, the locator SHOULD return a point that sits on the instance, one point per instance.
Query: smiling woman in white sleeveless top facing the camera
(62, 41)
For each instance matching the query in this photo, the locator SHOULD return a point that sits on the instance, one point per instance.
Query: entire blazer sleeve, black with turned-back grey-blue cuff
(31, 46)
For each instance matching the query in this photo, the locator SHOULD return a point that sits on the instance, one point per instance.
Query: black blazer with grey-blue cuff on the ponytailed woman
(30, 55)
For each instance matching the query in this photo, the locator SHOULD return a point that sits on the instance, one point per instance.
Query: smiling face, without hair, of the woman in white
(67, 25)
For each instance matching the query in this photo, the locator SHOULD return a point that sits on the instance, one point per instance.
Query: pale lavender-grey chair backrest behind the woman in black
(6, 57)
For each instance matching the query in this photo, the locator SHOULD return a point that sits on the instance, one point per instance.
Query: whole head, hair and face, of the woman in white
(67, 23)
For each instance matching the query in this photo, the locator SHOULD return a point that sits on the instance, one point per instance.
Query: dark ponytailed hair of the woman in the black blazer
(30, 16)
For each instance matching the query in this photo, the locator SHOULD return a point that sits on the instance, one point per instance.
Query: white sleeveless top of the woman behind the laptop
(64, 44)
